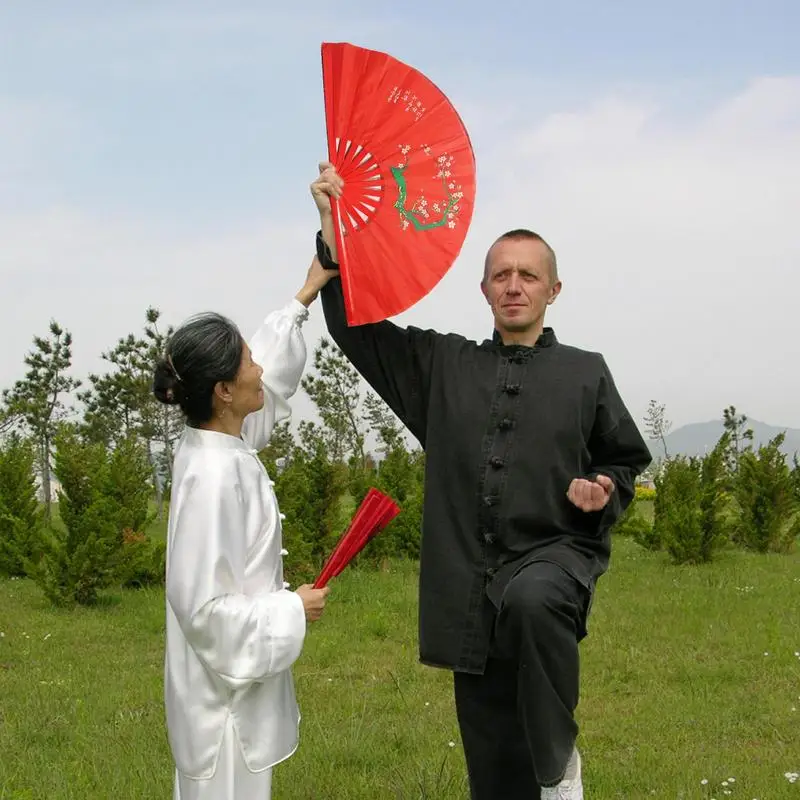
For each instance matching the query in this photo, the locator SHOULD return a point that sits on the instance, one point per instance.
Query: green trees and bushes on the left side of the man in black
(109, 445)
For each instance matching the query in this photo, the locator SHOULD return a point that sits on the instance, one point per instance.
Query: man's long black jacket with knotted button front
(505, 430)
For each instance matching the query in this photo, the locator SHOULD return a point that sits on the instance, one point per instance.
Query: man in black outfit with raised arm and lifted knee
(531, 456)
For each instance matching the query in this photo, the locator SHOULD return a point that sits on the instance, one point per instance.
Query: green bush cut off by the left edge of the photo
(20, 512)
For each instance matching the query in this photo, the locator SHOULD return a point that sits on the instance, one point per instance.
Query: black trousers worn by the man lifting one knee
(517, 719)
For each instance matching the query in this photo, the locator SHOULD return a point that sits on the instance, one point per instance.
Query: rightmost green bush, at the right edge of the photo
(768, 507)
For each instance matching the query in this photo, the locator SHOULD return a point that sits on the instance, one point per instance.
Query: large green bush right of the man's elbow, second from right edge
(689, 521)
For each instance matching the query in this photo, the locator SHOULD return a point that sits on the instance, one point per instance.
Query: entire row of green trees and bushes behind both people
(111, 455)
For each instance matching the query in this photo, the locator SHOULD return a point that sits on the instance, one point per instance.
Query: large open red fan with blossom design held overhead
(409, 180)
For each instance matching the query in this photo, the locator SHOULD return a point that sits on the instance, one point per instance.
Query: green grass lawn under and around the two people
(676, 688)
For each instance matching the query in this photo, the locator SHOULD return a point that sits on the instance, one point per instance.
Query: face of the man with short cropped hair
(519, 284)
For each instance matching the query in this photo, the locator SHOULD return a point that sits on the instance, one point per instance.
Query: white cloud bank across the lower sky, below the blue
(676, 240)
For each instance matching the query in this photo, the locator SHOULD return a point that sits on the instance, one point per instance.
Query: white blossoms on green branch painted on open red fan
(426, 213)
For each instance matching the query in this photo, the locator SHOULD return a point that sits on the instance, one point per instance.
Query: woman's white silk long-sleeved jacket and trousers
(233, 630)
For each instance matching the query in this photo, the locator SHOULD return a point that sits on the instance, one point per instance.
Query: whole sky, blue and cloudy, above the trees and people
(160, 154)
